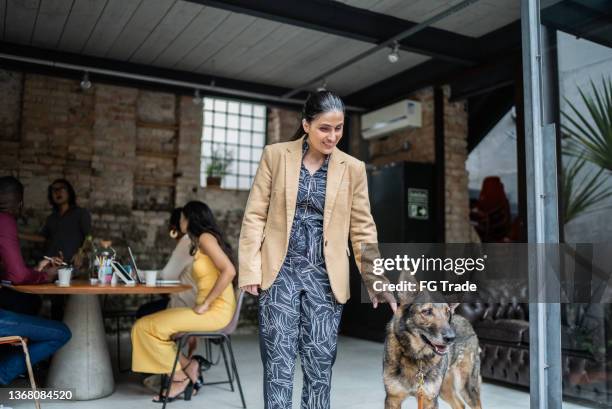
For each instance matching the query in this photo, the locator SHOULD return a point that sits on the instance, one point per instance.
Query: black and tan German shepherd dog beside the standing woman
(431, 351)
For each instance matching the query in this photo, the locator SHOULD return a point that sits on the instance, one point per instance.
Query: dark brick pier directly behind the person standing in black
(56, 137)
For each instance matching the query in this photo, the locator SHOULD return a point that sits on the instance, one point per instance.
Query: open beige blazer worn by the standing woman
(268, 217)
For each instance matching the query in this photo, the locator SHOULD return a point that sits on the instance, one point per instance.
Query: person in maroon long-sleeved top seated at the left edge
(13, 269)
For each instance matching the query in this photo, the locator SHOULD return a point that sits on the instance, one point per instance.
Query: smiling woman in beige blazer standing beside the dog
(307, 200)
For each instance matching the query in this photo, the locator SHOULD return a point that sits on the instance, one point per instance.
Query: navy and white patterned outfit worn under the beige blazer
(299, 310)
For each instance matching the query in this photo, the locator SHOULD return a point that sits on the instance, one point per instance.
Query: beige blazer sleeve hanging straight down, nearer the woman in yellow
(253, 223)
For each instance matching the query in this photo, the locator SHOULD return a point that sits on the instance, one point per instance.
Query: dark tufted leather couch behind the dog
(503, 331)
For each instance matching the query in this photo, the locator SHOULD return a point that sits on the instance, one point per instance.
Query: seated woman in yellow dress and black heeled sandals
(154, 350)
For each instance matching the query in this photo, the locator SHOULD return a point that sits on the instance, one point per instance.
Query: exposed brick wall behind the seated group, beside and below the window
(106, 142)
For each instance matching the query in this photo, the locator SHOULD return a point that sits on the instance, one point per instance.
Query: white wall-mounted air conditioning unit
(392, 118)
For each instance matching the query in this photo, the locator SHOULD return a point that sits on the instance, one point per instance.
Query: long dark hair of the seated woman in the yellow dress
(200, 220)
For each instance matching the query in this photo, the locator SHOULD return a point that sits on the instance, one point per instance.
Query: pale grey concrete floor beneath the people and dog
(357, 384)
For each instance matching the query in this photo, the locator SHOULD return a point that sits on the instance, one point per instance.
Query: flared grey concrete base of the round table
(83, 364)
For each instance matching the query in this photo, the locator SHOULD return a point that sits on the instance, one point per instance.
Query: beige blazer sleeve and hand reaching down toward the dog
(363, 233)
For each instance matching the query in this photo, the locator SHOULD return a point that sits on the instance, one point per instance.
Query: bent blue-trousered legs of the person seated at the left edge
(44, 338)
